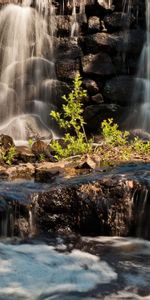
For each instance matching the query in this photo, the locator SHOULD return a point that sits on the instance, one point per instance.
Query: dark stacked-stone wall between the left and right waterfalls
(106, 50)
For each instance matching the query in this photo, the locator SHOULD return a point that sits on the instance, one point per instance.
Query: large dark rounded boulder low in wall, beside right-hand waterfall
(120, 90)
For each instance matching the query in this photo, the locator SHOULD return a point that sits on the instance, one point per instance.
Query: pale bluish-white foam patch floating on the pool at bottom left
(31, 270)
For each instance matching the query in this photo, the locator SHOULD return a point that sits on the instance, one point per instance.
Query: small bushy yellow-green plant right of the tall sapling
(112, 134)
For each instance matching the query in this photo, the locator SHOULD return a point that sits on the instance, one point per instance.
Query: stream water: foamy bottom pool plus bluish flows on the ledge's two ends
(71, 266)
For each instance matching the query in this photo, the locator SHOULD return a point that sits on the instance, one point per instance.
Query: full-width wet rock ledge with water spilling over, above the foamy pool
(113, 203)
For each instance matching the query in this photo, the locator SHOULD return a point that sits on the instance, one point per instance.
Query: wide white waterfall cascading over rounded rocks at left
(26, 56)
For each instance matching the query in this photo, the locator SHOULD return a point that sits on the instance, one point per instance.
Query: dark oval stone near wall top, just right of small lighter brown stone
(118, 21)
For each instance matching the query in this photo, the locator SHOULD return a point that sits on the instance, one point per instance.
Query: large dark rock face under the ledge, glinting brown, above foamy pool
(101, 207)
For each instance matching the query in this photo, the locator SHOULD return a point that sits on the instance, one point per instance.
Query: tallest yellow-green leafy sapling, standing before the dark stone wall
(71, 119)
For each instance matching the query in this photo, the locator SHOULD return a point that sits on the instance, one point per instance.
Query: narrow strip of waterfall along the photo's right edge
(142, 83)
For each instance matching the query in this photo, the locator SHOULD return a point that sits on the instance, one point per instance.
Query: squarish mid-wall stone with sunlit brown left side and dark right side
(98, 65)
